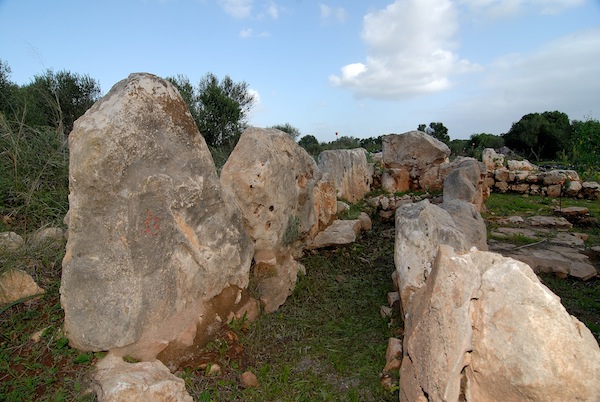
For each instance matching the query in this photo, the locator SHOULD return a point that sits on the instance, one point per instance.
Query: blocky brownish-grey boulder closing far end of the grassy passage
(407, 157)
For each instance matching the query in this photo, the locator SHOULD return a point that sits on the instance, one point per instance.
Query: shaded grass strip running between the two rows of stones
(326, 343)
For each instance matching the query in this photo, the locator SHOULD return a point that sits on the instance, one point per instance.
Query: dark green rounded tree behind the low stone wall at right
(539, 136)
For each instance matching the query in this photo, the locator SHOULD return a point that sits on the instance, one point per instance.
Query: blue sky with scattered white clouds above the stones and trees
(359, 68)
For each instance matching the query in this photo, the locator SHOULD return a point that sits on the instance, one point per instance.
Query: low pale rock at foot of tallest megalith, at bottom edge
(118, 381)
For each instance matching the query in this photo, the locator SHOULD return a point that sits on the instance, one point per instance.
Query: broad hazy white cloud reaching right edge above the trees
(562, 75)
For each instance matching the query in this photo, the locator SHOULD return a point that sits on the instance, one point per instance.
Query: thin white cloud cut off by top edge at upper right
(500, 8)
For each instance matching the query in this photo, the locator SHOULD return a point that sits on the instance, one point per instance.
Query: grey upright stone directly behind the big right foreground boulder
(420, 229)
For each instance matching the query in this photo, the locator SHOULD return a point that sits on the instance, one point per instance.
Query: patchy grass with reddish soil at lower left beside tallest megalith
(44, 369)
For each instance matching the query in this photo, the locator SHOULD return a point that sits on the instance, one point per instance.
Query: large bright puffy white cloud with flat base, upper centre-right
(410, 51)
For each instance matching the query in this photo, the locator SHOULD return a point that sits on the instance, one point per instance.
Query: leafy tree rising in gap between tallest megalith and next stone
(223, 108)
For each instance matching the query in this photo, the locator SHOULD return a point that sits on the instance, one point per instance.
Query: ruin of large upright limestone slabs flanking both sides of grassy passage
(161, 253)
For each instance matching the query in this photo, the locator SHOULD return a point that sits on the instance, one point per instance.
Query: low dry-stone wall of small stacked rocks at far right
(524, 177)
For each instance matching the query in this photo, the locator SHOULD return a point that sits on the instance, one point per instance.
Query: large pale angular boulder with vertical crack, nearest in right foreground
(484, 328)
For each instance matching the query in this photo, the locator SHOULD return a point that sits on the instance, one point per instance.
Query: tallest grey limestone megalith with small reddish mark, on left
(153, 238)
